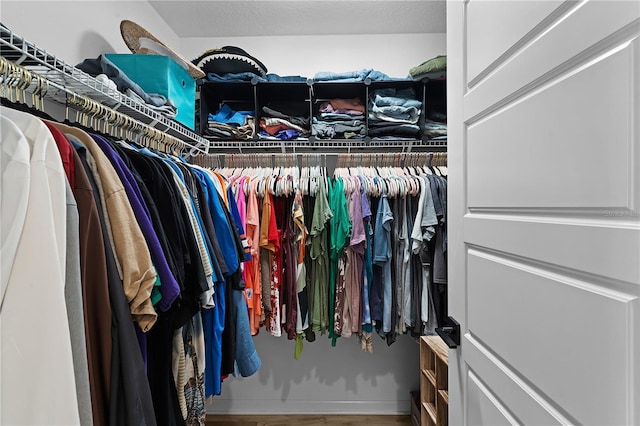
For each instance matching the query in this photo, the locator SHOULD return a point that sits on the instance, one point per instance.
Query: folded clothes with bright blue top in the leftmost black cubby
(230, 124)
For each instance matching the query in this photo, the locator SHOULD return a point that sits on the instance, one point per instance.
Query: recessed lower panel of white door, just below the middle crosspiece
(579, 341)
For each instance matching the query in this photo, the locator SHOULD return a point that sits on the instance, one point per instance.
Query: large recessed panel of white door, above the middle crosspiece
(550, 149)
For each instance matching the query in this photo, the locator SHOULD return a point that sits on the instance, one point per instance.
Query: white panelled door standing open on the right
(544, 217)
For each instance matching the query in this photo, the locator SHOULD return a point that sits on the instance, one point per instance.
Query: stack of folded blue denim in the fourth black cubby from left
(394, 113)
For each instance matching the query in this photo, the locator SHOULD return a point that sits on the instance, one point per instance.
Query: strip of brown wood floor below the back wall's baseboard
(307, 420)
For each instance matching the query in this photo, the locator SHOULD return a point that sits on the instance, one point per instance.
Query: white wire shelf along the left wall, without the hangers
(62, 75)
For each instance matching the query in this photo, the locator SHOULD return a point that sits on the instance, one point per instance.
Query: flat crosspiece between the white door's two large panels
(602, 250)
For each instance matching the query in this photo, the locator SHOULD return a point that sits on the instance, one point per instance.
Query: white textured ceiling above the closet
(188, 18)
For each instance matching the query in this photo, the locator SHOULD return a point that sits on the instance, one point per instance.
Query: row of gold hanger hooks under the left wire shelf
(16, 81)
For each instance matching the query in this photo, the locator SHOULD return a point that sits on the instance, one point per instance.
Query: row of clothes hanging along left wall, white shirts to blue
(127, 317)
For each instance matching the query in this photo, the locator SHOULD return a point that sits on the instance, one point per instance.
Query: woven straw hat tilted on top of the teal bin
(139, 40)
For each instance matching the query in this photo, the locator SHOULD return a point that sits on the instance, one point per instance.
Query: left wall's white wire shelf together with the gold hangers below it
(29, 68)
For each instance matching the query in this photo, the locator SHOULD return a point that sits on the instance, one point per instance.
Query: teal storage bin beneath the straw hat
(162, 75)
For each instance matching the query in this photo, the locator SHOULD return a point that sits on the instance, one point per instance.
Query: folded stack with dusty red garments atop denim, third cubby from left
(340, 119)
